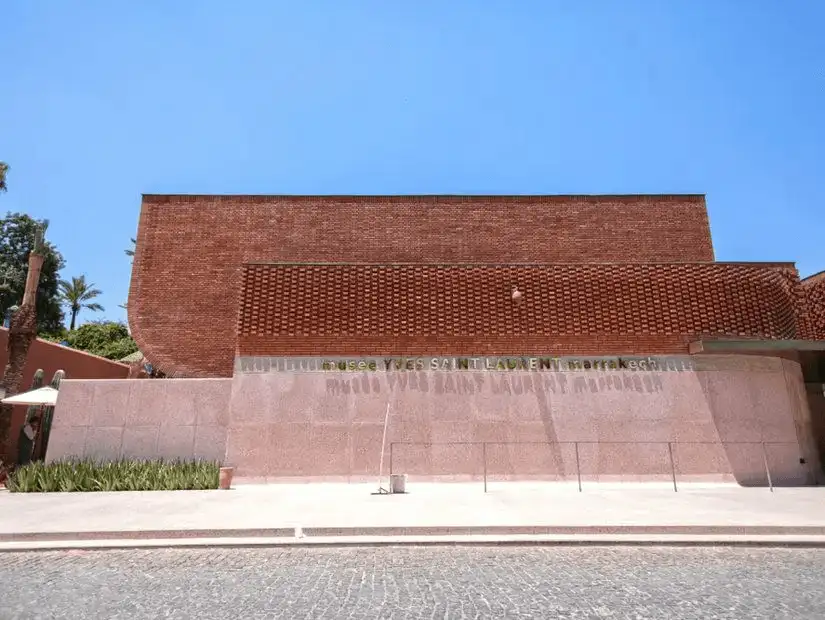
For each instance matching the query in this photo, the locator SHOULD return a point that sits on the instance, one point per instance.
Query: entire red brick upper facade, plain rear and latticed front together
(593, 286)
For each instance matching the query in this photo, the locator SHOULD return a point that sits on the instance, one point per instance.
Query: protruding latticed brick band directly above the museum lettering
(432, 309)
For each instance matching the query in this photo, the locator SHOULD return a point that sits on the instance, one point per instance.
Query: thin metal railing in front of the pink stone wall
(669, 444)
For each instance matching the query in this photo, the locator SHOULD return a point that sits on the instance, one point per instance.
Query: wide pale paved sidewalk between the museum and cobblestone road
(448, 511)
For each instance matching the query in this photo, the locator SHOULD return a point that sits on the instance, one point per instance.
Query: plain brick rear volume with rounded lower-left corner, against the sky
(183, 301)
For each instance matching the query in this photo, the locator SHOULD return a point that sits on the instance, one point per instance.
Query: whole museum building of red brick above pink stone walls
(232, 296)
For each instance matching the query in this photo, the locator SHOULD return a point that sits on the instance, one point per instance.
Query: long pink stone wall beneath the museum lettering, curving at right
(715, 419)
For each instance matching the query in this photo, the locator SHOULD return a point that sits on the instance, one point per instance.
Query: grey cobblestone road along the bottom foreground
(424, 582)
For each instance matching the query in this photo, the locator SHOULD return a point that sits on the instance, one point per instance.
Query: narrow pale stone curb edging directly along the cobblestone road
(379, 541)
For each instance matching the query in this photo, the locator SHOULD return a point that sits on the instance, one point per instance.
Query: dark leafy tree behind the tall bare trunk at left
(17, 233)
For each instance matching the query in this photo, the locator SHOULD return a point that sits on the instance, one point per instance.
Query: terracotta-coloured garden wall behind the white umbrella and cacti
(51, 357)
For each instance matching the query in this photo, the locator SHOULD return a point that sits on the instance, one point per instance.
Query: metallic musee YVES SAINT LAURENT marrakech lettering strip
(479, 364)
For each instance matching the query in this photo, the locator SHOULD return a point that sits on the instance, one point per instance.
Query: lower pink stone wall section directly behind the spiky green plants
(140, 418)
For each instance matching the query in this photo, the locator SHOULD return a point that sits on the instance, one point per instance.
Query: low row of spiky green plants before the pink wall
(124, 475)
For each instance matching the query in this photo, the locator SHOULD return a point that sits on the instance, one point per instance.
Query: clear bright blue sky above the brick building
(102, 101)
